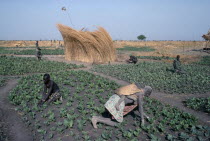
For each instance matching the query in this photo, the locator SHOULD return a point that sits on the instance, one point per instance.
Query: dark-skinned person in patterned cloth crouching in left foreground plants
(51, 91)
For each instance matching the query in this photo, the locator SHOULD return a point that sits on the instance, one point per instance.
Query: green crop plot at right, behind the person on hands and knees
(195, 81)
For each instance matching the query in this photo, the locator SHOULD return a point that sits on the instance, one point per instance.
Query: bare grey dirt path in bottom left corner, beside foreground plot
(11, 123)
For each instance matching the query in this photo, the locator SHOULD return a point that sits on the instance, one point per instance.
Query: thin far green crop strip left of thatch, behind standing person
(20, 51)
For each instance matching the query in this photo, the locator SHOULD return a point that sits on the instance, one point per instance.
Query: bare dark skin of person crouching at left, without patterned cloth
(50, 87)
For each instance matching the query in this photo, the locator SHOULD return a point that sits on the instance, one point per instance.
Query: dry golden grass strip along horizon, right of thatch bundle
(167, 48)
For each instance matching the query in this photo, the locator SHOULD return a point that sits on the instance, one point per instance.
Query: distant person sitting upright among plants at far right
(176, 66)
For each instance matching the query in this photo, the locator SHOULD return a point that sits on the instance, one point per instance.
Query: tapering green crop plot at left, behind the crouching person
(18, 65)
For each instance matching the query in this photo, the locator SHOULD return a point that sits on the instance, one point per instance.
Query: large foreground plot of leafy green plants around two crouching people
(84, 96)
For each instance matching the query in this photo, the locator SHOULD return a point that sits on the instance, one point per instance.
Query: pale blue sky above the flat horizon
(123, 19)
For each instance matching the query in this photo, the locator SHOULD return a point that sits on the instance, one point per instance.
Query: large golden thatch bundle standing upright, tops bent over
(87, 46)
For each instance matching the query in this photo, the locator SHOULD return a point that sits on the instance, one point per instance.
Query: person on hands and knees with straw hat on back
(121, 103)
